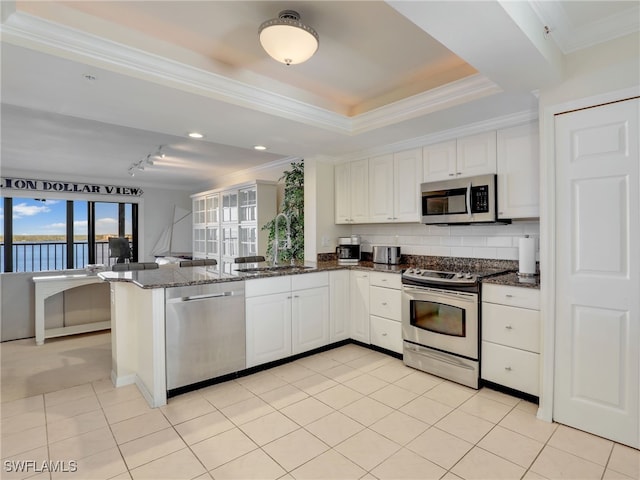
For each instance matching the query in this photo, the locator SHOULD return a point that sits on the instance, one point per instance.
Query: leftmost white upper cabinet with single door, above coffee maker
(351, 192)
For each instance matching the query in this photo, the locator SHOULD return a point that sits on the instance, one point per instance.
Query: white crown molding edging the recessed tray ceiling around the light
(25, 30)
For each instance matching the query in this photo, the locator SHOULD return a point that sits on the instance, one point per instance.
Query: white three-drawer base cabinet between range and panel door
(511, 337)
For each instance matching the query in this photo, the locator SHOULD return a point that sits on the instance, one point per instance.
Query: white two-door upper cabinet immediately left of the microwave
(394, 187)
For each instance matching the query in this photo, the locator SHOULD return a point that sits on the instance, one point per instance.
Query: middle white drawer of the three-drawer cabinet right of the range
(511, 326)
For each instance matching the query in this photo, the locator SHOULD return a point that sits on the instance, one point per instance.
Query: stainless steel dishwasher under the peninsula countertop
(205, 332)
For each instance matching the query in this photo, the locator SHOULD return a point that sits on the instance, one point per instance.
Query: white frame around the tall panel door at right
(548, 234)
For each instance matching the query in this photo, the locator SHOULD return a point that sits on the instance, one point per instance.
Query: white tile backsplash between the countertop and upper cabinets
(470, 241)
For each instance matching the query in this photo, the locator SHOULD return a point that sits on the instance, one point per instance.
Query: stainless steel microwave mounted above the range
(460, 201)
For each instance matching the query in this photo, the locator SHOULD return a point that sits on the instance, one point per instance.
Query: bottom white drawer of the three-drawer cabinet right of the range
(511, 367)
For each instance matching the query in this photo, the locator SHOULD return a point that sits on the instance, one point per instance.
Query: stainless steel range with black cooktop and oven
(441, 324)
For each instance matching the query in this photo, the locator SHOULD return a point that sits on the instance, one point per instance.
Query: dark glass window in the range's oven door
(438, 318)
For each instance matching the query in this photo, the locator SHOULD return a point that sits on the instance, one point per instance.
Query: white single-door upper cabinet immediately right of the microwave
(518, 172)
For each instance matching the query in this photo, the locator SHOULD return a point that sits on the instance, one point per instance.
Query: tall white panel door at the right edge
(597, 364)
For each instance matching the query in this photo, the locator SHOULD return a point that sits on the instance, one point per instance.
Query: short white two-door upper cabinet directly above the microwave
(463, 157)
